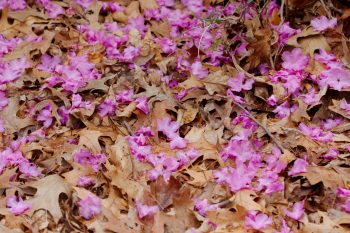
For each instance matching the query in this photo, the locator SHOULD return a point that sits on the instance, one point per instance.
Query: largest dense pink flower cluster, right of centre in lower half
(248, 164)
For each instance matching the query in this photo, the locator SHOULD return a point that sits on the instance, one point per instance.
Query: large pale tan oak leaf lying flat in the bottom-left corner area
(49, 189)
